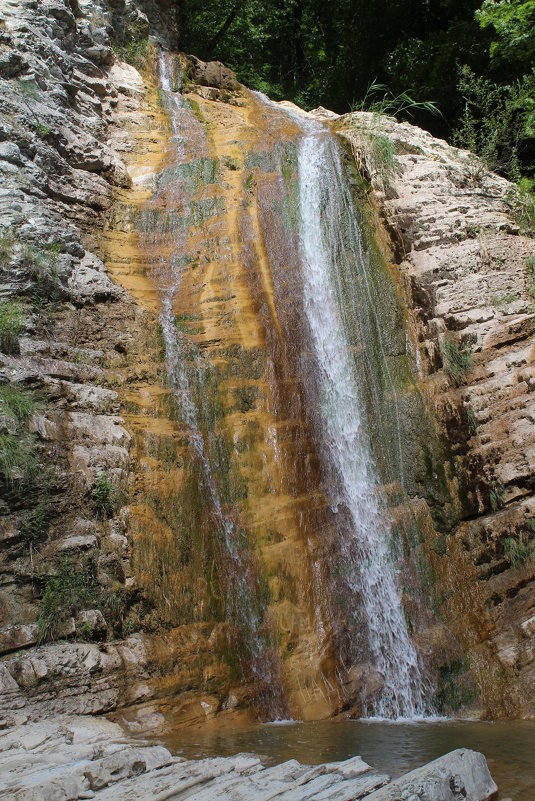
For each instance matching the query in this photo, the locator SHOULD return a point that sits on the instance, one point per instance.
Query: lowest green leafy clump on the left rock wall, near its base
(74, 587)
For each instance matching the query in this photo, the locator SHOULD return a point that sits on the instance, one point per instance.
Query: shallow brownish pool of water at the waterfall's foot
(391, 747)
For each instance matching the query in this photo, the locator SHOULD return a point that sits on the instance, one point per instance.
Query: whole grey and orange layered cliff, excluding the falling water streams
(92, 456)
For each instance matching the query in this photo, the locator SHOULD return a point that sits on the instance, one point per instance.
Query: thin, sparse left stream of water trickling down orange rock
(186, 371)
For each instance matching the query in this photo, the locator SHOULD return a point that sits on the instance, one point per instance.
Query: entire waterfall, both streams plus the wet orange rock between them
(304, 561)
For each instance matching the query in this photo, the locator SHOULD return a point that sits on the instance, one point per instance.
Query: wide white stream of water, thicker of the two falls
(329, 236)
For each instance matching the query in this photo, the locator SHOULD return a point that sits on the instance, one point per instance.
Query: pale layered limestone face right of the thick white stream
(464, 262)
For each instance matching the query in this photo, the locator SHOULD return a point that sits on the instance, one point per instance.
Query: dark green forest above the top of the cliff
(475, 60)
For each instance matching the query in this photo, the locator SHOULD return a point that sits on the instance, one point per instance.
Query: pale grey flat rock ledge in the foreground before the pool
(74, 758)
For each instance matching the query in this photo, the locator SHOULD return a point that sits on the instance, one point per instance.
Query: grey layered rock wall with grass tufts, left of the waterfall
(75, 348)
